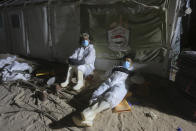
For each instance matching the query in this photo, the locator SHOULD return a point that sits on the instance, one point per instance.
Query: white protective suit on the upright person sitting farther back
(88, 54)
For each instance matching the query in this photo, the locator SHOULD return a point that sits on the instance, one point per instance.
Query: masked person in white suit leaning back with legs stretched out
(108, 95)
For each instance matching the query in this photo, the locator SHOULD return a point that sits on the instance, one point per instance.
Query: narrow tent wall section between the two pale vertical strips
(37, 32)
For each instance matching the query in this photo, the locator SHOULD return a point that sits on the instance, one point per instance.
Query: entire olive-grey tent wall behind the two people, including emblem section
(148, 35)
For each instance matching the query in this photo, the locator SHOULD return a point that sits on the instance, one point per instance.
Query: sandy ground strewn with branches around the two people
(151, 110)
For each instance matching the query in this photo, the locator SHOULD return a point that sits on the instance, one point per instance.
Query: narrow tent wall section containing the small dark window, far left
(16, 31)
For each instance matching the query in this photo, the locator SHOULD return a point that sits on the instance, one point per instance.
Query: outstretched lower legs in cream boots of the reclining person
(89, 114)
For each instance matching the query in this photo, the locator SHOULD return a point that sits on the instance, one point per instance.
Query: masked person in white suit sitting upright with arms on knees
(82, 62)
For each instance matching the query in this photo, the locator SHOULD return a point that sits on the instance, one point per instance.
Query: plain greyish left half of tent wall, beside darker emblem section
(43, 31)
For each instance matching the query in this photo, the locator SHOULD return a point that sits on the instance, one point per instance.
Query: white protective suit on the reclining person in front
(113, 90)
